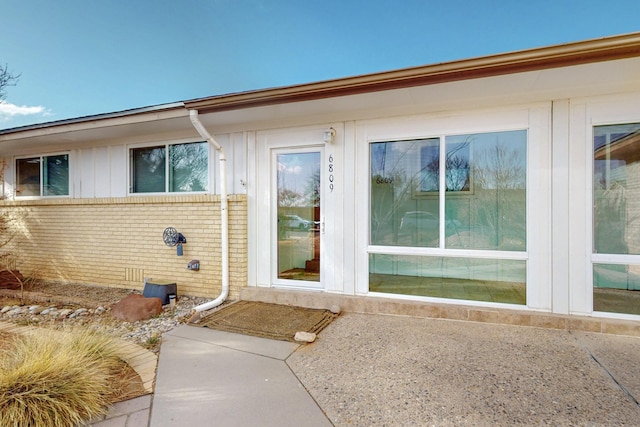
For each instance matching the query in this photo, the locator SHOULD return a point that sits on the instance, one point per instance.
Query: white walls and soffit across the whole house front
(558, 107)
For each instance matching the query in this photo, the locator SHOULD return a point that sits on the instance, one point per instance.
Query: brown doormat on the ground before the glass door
(273, 321)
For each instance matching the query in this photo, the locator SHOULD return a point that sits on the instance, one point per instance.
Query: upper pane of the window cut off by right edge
(616, 189)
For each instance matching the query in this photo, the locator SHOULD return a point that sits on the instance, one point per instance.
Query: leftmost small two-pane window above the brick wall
(45, 176)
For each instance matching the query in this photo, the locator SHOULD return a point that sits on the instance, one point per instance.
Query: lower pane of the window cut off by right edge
(614, 286)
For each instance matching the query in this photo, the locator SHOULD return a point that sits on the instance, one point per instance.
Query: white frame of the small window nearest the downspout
(166, 145)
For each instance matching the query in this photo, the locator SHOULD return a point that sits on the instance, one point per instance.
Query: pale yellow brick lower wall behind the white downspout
(118, 241)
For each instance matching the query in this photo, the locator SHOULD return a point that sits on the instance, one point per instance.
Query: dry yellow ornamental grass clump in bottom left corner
(56, 379)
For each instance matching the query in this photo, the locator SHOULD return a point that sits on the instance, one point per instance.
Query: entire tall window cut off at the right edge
(616, 223)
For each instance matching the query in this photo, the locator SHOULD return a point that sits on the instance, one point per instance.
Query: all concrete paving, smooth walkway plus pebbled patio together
(381, 370)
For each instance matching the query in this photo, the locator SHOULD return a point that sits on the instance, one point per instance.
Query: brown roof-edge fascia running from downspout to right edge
(604, 49)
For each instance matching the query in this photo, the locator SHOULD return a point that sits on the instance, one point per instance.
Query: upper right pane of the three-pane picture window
(485, 202)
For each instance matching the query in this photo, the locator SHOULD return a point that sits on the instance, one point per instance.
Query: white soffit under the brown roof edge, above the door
(532, 86)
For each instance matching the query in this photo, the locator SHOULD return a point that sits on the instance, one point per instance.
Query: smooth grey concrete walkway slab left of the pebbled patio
(207, 377)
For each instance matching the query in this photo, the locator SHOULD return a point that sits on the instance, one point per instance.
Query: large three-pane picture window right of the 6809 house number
(454, 192)
